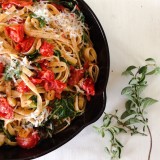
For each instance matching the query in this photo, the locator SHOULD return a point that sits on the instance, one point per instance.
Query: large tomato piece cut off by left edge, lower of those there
(6, 111)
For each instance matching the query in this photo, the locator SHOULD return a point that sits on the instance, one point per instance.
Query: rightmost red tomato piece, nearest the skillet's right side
(88, 86)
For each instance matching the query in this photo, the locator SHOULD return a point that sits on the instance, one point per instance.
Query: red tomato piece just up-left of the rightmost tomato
(76, 76)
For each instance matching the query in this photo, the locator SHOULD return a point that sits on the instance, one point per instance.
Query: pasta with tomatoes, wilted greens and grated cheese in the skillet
(48, 69)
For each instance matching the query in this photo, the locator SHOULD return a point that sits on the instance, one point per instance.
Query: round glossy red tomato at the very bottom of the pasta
(28, 142)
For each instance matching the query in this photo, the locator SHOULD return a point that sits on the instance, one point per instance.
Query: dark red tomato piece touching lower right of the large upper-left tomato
(26, 44)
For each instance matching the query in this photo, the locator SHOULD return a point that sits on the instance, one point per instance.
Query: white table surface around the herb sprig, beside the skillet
(132, 28)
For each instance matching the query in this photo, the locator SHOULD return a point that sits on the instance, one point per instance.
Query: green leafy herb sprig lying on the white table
(133, 120)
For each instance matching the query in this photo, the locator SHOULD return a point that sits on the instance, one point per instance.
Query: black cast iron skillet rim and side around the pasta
(94, 108)
